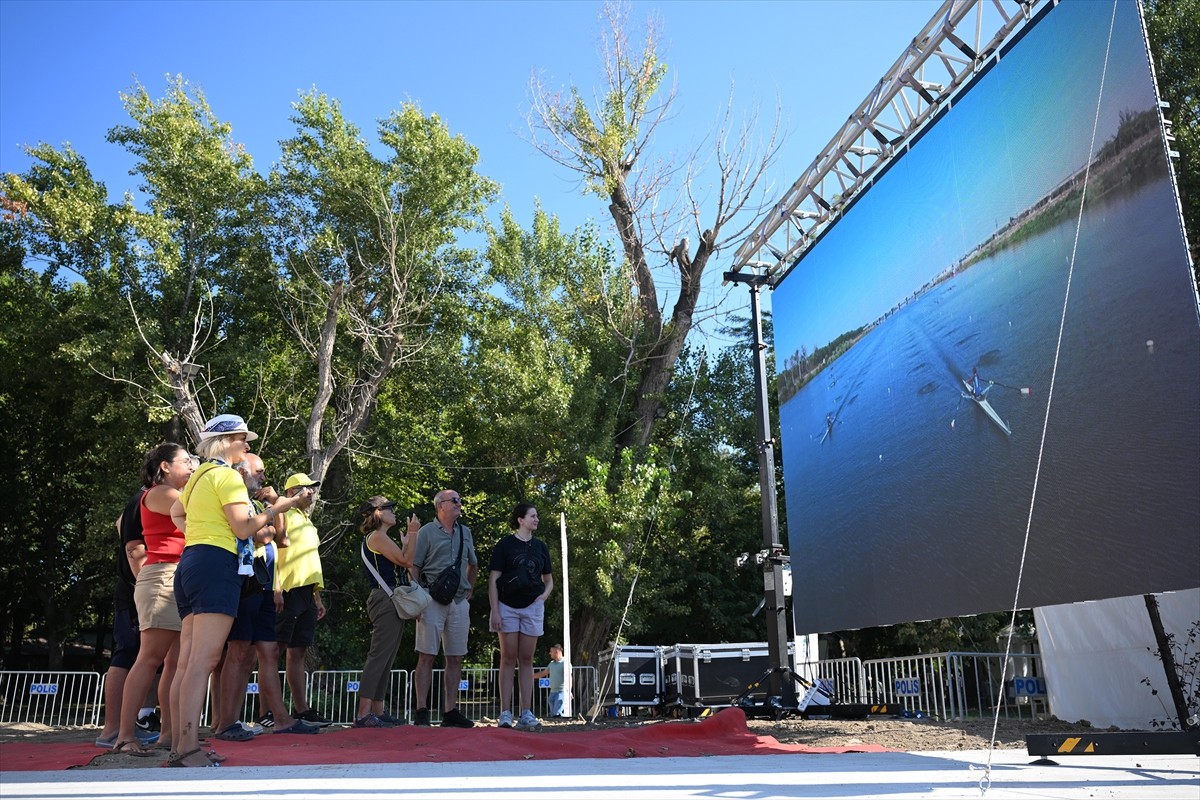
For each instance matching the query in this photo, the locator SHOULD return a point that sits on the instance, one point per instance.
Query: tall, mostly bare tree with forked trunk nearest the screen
(716, 196)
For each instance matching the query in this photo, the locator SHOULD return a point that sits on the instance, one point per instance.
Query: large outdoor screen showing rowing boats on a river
(910, 488)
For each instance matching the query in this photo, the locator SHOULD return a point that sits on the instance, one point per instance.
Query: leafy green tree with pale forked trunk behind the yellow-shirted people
(373, 272)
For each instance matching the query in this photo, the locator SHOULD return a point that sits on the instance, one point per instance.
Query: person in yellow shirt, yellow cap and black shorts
(302, 582)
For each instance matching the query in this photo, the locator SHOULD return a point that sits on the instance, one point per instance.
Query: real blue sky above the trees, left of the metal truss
(64, 64)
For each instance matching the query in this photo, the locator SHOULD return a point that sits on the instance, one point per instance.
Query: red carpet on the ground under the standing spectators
(723, 735)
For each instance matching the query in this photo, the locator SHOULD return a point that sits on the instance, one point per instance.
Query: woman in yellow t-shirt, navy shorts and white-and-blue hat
(214, 513)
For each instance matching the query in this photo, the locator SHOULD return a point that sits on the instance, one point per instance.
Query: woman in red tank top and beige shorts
(166, 471)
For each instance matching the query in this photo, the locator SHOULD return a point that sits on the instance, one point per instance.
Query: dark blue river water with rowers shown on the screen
(915, 504)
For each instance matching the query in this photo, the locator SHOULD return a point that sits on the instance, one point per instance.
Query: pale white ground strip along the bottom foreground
(896, 777)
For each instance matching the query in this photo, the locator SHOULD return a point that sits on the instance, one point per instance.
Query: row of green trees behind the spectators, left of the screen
(388, 326)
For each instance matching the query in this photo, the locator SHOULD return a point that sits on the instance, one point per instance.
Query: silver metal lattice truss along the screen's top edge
(962, 40)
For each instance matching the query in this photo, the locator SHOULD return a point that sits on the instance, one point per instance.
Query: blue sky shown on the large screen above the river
(1019, 133)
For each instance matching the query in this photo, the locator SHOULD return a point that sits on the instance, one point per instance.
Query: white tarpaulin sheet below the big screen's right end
(1097, 654)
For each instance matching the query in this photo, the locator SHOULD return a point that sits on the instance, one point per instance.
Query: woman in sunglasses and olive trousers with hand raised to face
(391, 562)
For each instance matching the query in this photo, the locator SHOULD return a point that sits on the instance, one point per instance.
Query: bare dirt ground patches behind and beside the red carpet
(889, 732)
